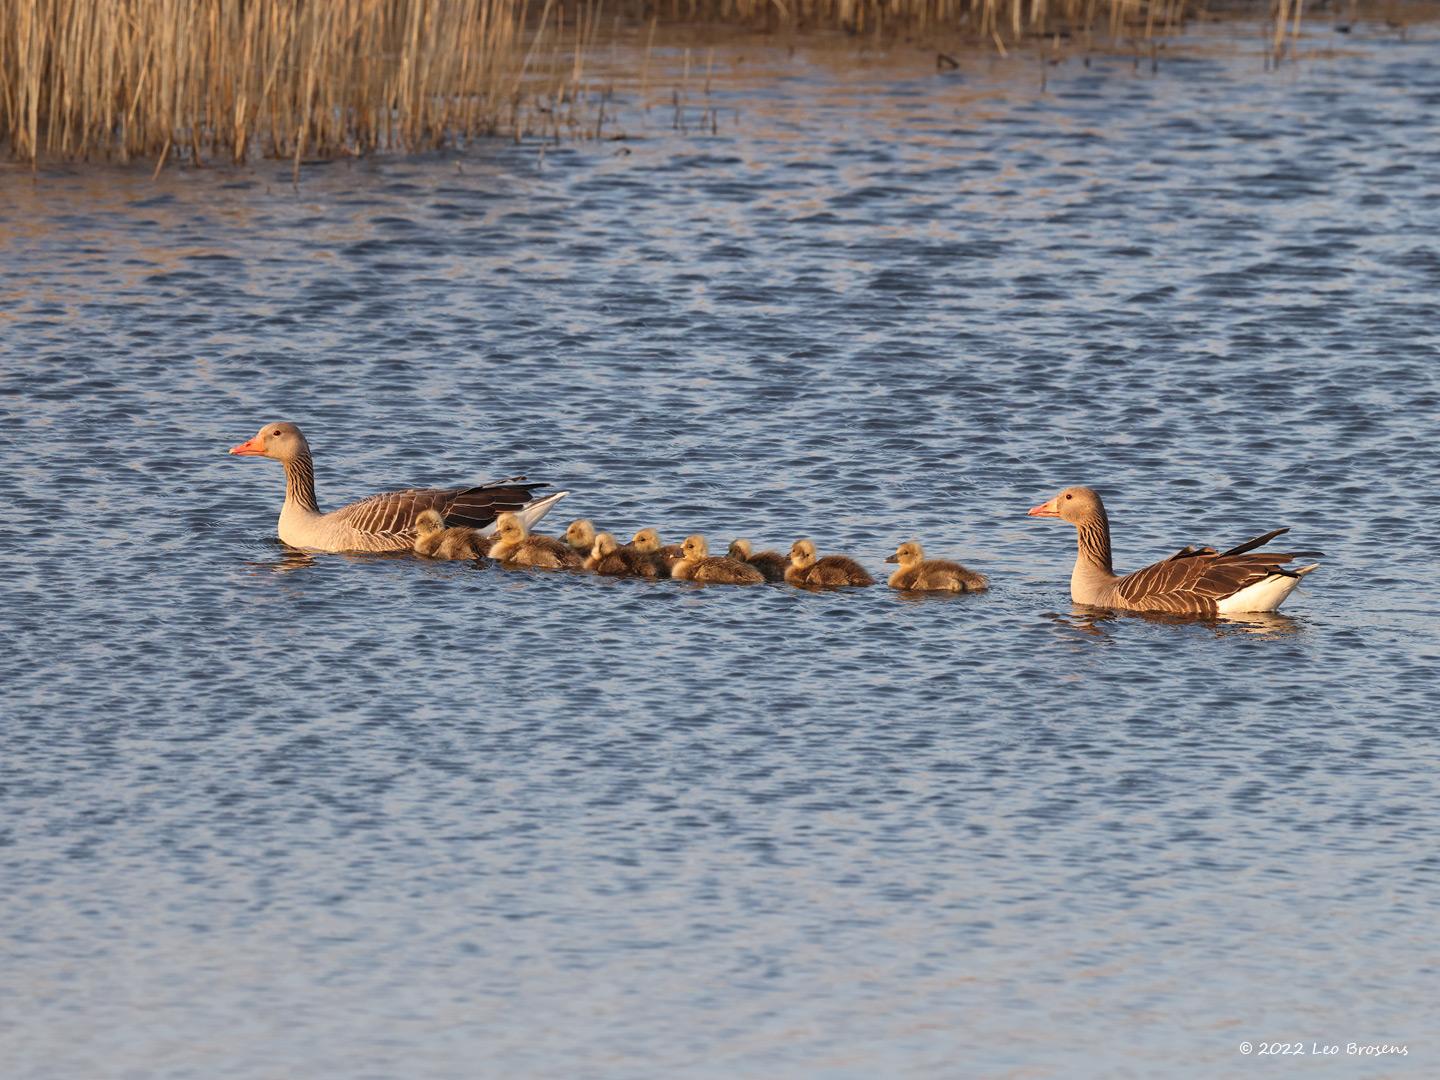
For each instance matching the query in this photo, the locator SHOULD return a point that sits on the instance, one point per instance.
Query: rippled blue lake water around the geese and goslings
(276, 817)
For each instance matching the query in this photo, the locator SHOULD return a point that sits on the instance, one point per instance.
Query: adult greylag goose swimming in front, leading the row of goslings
(387, 522)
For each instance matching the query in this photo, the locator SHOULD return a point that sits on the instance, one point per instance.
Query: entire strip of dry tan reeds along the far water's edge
(294, 78)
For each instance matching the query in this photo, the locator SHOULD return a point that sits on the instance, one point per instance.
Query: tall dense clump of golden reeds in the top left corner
(284, 78)
